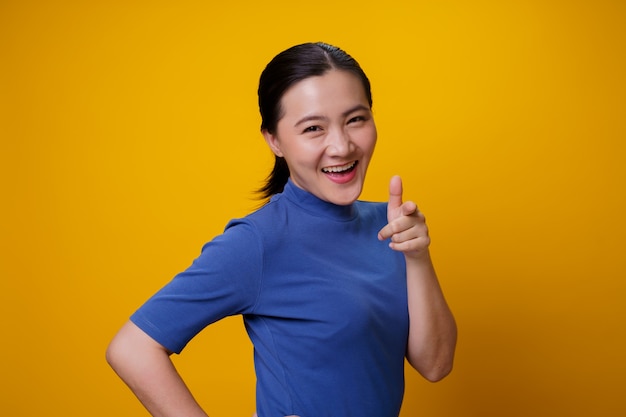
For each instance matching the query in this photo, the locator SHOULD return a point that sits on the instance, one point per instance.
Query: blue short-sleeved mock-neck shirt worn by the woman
(324, 303)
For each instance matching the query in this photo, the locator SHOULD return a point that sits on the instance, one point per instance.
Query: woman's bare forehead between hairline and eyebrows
(334, 90)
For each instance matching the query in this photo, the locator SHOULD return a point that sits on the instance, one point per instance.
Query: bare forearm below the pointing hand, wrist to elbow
(432, 332)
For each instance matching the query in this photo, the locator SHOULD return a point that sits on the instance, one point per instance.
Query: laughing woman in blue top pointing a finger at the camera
(335, 292)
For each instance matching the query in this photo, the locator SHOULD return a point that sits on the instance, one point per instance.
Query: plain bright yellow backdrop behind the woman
(129, 137)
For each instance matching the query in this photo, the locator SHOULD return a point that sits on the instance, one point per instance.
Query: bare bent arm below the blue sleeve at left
(147, 369)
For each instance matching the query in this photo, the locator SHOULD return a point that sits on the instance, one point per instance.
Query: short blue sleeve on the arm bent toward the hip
(223, 281)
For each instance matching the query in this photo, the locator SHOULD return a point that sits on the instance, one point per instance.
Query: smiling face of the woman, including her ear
(327, 135)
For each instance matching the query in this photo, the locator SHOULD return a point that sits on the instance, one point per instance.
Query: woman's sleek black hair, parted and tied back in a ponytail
(283, 71)
